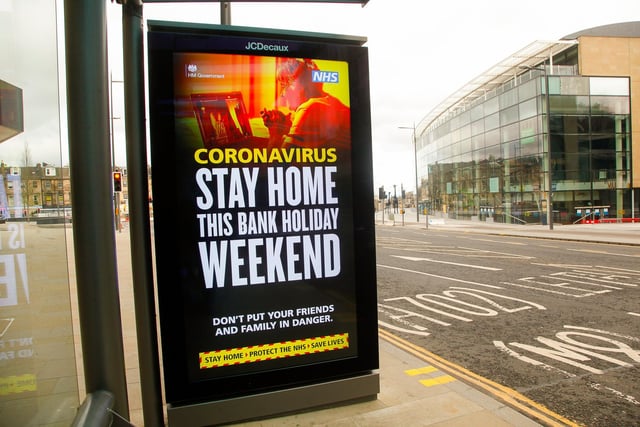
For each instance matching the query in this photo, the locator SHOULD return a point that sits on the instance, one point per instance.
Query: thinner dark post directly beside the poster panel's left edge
(139, 222)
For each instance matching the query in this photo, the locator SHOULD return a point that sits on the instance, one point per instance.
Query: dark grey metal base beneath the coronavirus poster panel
(298, 399)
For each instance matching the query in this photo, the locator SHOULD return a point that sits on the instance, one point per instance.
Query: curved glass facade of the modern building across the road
(489, 161)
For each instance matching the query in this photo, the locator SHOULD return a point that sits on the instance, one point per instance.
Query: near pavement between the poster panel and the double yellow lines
(413, 392)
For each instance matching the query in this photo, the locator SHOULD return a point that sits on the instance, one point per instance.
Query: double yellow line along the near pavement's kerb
(505, 394)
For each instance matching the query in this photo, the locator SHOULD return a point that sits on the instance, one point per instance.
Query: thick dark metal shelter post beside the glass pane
(91, 188)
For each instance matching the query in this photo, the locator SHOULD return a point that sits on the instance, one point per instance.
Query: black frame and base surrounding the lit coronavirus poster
(353, 377)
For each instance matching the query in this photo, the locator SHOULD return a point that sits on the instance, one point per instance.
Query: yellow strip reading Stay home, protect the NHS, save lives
(279, 350)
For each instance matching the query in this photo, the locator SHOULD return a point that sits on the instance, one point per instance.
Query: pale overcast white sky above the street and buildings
(420, 52)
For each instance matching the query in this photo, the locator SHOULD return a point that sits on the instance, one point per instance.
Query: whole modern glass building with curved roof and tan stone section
(499, 147)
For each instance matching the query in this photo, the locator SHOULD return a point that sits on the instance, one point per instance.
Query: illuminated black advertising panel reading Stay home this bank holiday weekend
(261, 167)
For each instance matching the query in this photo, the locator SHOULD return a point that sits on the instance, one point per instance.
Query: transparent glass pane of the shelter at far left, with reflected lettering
(38, 375)
